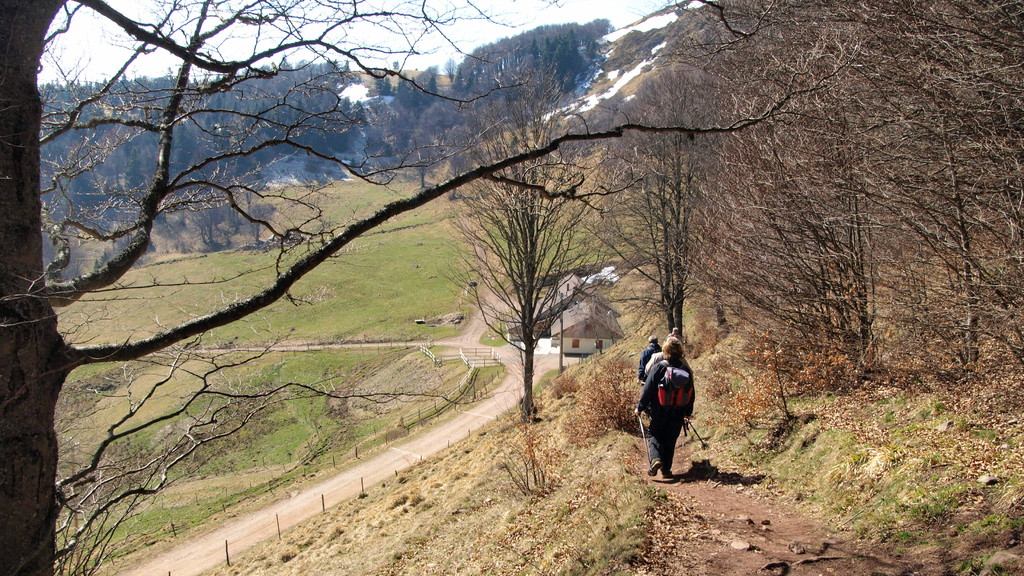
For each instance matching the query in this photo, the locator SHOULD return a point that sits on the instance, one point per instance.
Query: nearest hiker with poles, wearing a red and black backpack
(668, 398)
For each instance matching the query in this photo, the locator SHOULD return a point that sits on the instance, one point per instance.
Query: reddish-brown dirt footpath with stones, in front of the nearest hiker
(713, 523)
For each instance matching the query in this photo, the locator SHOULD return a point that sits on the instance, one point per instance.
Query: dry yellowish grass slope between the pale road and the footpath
(462, 513)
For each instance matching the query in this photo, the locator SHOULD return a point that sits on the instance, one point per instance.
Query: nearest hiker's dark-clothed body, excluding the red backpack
(666, 423)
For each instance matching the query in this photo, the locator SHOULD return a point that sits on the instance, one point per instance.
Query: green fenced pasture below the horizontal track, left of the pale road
(291, 444)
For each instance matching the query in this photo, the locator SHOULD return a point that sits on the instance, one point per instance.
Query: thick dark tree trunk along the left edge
(33, 356)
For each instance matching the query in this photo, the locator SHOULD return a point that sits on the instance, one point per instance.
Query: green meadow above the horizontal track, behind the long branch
(376, 291)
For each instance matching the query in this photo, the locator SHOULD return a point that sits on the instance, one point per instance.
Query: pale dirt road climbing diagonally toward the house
(216, 547)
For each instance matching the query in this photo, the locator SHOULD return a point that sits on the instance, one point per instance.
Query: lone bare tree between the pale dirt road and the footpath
(523, 244)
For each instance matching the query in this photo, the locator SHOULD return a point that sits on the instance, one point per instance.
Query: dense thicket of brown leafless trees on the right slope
(898, 189)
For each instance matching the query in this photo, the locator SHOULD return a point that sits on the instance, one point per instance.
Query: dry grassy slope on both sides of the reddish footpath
(875, 468)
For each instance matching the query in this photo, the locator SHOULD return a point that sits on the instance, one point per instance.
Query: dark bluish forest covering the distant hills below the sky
(83, 170)
